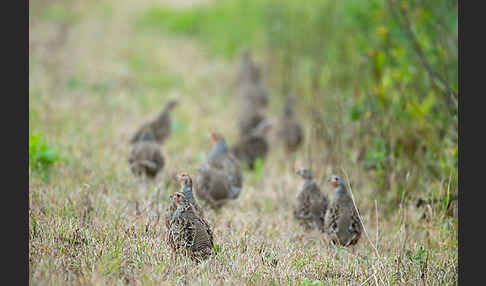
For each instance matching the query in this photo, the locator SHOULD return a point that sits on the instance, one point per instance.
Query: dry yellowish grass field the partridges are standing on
(93, 79)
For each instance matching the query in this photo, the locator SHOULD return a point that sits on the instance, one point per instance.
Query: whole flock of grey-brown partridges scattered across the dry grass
(220, 178)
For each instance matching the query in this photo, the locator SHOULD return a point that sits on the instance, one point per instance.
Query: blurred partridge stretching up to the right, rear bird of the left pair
(160, 127)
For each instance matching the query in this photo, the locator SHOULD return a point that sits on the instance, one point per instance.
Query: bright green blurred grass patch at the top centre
(210, 24)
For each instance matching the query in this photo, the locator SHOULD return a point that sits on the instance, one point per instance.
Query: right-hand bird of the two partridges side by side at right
(343, 225)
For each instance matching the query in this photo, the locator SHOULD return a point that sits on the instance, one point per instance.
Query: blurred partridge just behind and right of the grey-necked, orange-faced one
(253, 146)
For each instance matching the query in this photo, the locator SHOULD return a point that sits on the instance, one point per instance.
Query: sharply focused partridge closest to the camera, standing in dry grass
(189, 233)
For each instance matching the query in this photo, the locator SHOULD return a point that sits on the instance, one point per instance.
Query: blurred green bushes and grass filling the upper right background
(393, 62)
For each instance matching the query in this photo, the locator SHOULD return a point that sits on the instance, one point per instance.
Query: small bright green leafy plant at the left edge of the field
(41, 155)
